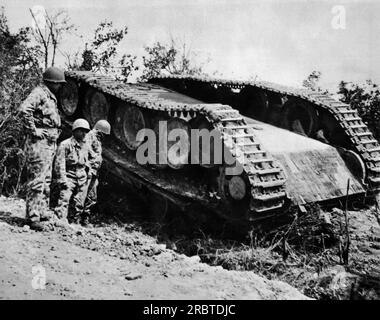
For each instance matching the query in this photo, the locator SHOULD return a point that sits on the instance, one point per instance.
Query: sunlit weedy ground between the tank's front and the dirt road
(308, 254)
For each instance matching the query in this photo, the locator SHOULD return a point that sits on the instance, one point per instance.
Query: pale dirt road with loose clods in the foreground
(112, 262)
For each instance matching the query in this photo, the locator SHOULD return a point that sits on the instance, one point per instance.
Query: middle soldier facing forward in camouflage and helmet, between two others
(72, 167)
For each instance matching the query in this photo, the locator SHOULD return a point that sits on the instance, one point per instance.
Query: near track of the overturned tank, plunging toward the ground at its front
(266, 177)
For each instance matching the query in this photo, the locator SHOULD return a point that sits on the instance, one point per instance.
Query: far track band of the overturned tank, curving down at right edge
(360, 136)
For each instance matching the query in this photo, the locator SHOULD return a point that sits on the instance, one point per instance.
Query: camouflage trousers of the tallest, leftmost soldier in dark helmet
(39, 160)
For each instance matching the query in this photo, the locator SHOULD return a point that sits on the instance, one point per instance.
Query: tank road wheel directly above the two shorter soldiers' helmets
(96, 106)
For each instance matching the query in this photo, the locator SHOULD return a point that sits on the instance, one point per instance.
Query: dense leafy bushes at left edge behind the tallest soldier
(19, 73)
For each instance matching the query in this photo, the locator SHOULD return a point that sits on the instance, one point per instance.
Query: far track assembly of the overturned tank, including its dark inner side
(312, 114)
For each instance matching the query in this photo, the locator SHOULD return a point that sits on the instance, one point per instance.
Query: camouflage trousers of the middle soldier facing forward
(72, 195)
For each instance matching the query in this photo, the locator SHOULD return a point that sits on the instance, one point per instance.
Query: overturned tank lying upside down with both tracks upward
(245, 151)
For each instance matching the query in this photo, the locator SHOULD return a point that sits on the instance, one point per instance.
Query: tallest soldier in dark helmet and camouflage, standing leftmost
(42, 123)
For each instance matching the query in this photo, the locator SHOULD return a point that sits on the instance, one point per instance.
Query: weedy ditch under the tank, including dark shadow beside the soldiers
(305, 252)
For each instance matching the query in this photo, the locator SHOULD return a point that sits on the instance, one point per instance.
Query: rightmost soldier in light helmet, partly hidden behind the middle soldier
(94, 140)
